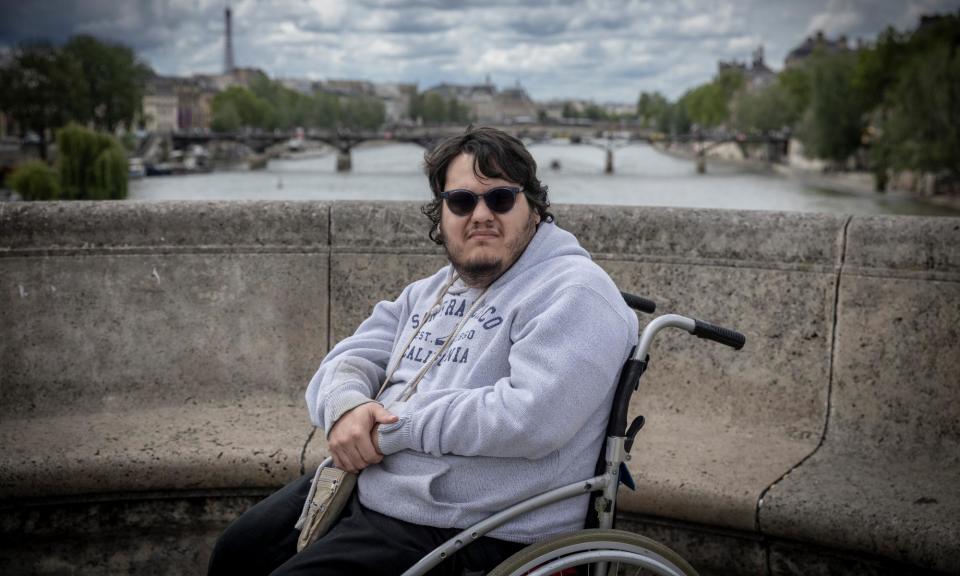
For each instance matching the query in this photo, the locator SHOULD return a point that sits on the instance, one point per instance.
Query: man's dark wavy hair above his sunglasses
(497, 155)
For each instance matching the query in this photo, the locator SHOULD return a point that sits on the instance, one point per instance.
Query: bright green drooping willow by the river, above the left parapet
(93, 166)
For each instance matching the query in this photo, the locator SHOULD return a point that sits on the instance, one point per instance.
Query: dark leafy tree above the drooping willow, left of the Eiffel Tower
(114, 79)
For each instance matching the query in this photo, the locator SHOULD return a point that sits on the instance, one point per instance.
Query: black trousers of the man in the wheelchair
(264, 541)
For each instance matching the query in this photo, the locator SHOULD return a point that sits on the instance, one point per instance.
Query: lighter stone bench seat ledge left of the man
(254, 443)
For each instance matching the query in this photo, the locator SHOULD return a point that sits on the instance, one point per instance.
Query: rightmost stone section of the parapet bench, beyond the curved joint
(885, 480)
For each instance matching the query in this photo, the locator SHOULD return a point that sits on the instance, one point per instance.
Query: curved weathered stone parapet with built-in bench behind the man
(163, 349)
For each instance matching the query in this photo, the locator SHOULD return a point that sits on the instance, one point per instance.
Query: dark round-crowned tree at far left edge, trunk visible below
(43, 88)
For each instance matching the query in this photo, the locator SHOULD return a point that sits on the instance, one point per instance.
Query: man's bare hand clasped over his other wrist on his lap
(352, 440)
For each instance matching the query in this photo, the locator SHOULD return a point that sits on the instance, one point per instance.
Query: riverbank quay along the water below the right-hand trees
(859, 183)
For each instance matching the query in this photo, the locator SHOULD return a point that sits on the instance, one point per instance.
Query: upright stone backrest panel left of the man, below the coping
(125, 332)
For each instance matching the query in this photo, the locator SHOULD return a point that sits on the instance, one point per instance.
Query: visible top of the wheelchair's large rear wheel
(579, 552)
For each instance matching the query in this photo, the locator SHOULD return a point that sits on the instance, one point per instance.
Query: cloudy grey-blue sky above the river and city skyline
(606, 50)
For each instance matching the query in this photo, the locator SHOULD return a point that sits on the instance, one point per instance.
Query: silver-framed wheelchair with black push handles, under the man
(602, 550)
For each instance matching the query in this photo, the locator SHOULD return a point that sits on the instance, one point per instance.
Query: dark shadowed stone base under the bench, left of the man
(149, 536)
